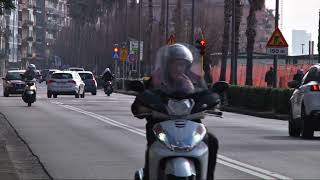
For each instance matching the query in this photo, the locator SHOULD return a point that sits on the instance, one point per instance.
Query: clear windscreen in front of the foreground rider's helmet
(178, 71)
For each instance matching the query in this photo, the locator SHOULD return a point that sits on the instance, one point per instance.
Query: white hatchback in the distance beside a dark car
(65, 83)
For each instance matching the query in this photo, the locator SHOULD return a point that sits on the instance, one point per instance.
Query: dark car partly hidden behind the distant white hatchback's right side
(90, 82)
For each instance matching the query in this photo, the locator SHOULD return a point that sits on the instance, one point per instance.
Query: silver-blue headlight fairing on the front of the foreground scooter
(180, 135)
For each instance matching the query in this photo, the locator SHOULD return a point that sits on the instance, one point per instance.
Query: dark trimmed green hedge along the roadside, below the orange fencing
(259, 98)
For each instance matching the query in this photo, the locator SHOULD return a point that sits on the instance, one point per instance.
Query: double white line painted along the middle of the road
(249, 169)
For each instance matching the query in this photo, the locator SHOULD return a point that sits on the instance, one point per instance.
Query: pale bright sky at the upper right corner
(299, 15)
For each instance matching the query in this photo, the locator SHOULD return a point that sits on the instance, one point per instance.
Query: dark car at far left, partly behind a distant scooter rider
(12, 83)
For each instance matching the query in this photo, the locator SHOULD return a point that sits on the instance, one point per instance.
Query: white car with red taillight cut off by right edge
(305, 104)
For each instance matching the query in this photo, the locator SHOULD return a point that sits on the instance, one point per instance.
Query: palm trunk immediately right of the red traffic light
(226, 39)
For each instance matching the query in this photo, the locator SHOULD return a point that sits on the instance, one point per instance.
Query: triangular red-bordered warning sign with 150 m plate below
(277, 44)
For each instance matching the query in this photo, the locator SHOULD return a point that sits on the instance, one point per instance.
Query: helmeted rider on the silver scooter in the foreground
(175, 76)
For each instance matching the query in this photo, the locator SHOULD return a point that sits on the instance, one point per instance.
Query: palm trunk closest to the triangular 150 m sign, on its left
(251, 34)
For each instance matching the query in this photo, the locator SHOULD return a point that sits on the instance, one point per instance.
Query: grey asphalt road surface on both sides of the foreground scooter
(98, 138)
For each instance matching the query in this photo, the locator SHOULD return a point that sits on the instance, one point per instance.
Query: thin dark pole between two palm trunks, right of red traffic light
(233, 45)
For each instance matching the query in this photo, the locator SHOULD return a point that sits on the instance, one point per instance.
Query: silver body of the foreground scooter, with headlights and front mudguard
(179, 152)
